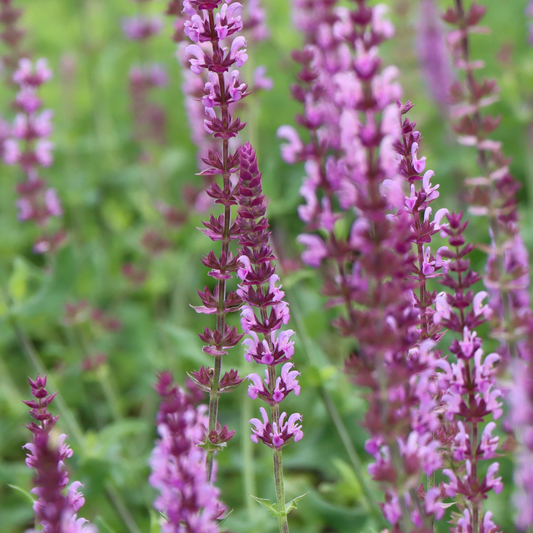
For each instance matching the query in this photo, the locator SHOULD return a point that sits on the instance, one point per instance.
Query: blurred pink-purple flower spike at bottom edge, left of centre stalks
(188, 501)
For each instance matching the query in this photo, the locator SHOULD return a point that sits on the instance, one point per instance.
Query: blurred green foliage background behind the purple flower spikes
(108, 194)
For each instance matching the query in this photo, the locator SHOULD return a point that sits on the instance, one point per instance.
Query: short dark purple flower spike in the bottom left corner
(55, 511)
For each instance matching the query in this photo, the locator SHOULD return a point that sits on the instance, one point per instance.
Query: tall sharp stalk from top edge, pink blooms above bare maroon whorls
(216, 23)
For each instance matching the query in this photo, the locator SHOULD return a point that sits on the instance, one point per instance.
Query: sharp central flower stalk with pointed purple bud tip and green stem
(263, 314)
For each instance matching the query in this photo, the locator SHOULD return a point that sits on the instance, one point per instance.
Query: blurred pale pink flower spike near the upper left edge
(30, 148)
